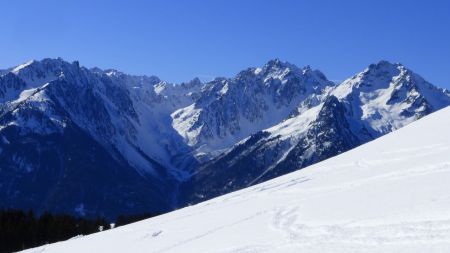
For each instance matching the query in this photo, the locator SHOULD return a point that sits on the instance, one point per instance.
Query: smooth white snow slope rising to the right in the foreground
(390, 195)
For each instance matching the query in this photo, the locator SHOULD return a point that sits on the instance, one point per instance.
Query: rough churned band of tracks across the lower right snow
(288, 221)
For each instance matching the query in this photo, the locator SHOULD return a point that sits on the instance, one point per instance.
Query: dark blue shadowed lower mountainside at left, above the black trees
(70, 172)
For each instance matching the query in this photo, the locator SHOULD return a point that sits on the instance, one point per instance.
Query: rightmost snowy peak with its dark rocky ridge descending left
(382, 98)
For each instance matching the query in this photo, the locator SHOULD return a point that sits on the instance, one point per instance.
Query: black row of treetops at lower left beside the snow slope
(21, 230)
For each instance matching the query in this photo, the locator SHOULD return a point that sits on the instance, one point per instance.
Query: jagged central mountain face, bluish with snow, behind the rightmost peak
(229, 110)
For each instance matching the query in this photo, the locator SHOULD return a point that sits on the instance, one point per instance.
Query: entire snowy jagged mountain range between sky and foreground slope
(101, 142)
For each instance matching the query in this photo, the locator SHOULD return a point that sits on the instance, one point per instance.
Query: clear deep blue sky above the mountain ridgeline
(178, 40)
